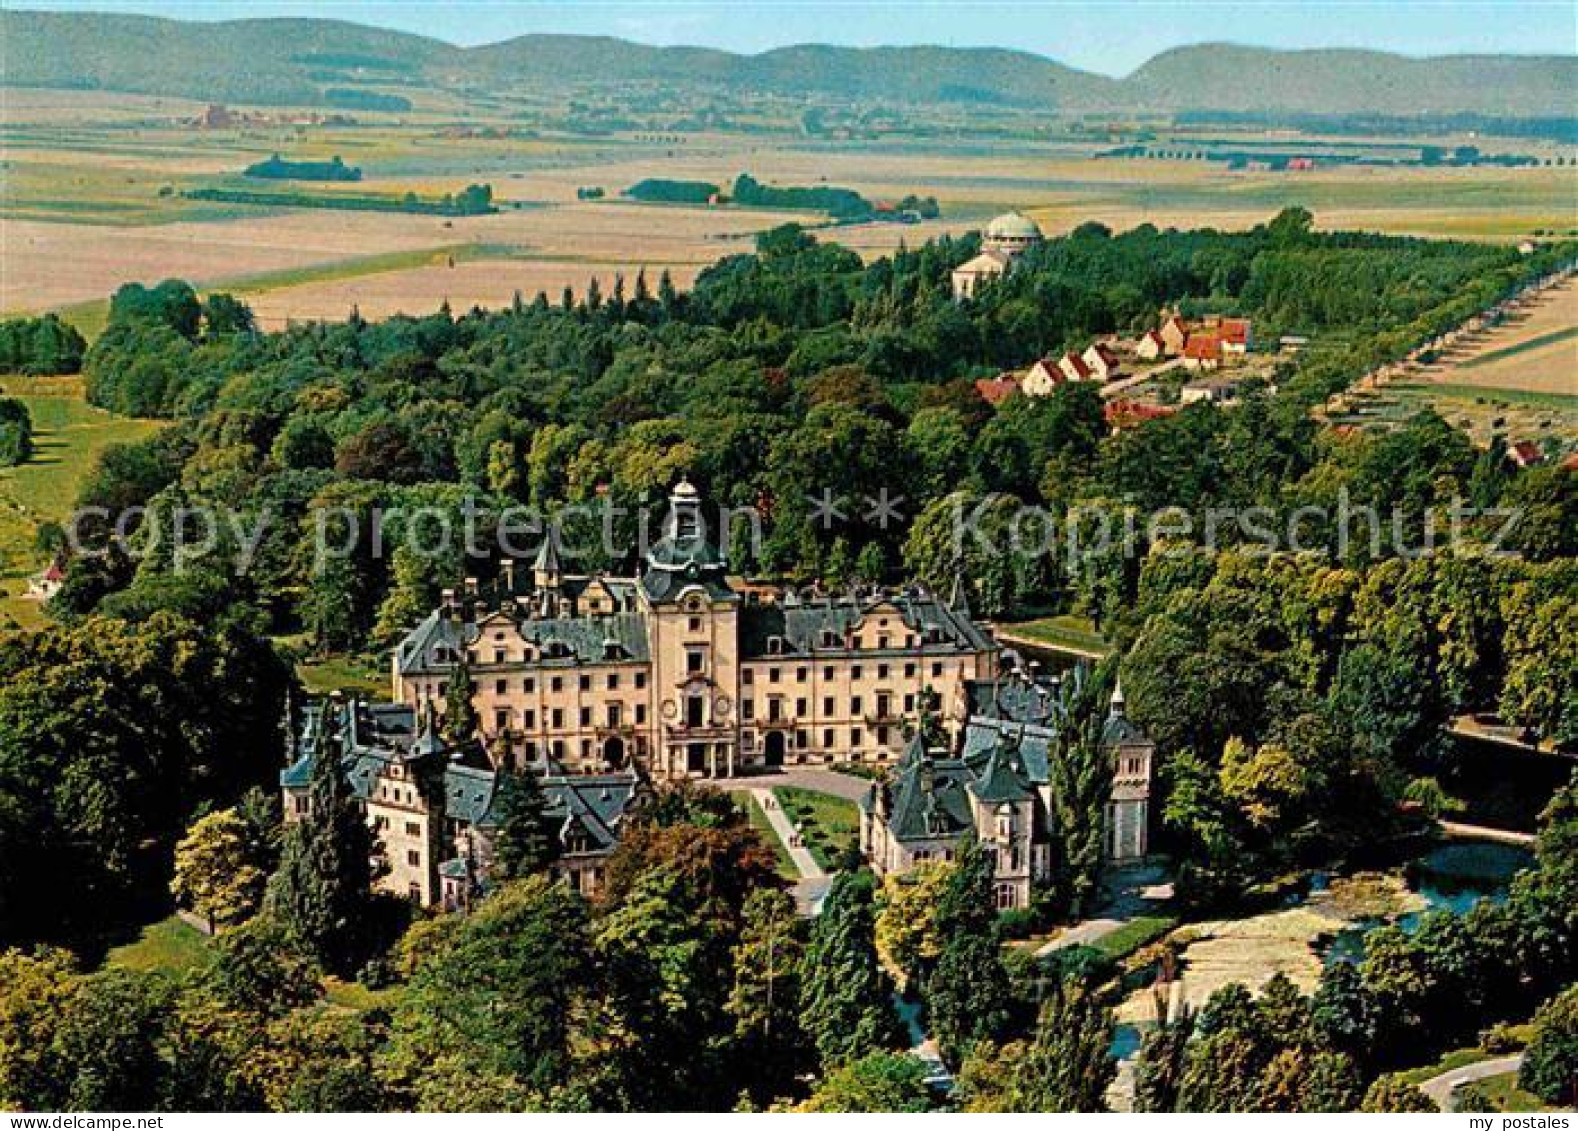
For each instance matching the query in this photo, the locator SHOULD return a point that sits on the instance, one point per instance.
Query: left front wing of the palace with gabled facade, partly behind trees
(432, 807)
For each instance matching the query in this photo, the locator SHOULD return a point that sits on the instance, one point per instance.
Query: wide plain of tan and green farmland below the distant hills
(92, 196)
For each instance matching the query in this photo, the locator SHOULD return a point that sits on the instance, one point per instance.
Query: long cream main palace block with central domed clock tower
(686, 671)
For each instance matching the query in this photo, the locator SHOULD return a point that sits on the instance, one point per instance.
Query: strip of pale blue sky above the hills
(1112, 39)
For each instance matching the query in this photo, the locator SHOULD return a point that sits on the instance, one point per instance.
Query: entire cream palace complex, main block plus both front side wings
(600, 685)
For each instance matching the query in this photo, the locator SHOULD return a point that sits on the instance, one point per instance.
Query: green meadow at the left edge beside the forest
(69, 438)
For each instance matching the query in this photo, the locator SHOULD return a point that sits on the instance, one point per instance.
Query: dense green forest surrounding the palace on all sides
(1298, 698)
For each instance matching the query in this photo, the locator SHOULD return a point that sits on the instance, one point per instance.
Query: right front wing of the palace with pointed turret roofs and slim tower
(998, 791)
